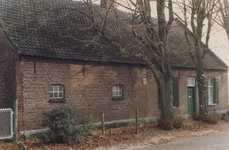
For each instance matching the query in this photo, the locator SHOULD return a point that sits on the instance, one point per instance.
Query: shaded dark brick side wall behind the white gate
(7, 72)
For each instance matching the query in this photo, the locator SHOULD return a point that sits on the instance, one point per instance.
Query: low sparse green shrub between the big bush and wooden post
(90, 123)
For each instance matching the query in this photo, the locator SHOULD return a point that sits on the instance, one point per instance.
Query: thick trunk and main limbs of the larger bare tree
(153, 37)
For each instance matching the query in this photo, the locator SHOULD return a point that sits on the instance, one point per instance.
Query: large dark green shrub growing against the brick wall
(63, 128)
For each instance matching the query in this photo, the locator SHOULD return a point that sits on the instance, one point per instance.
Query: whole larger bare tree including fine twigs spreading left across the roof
(150, 35)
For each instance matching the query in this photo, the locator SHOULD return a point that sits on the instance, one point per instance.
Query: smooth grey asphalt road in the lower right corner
(218, 141)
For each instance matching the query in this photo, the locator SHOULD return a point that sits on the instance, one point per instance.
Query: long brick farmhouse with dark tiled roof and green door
(47, 61)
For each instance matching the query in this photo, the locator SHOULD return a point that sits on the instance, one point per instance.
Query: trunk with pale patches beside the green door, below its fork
(202, 88)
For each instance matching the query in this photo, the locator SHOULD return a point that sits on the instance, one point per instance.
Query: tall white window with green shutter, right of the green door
(212, 91)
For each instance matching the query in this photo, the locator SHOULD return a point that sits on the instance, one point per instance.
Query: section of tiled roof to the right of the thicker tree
(179, 55)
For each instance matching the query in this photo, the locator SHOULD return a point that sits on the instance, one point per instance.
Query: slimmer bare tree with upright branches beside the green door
(199, 14)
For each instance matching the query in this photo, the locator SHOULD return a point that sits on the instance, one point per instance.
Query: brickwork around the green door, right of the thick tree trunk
(223, 88)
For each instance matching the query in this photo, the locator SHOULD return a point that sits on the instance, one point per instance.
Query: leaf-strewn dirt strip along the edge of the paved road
(162, 137)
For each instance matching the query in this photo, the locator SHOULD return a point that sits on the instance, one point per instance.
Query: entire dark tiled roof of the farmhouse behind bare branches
(65, 33)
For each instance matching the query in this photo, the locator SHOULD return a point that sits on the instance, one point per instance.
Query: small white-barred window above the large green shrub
(56, 89)
